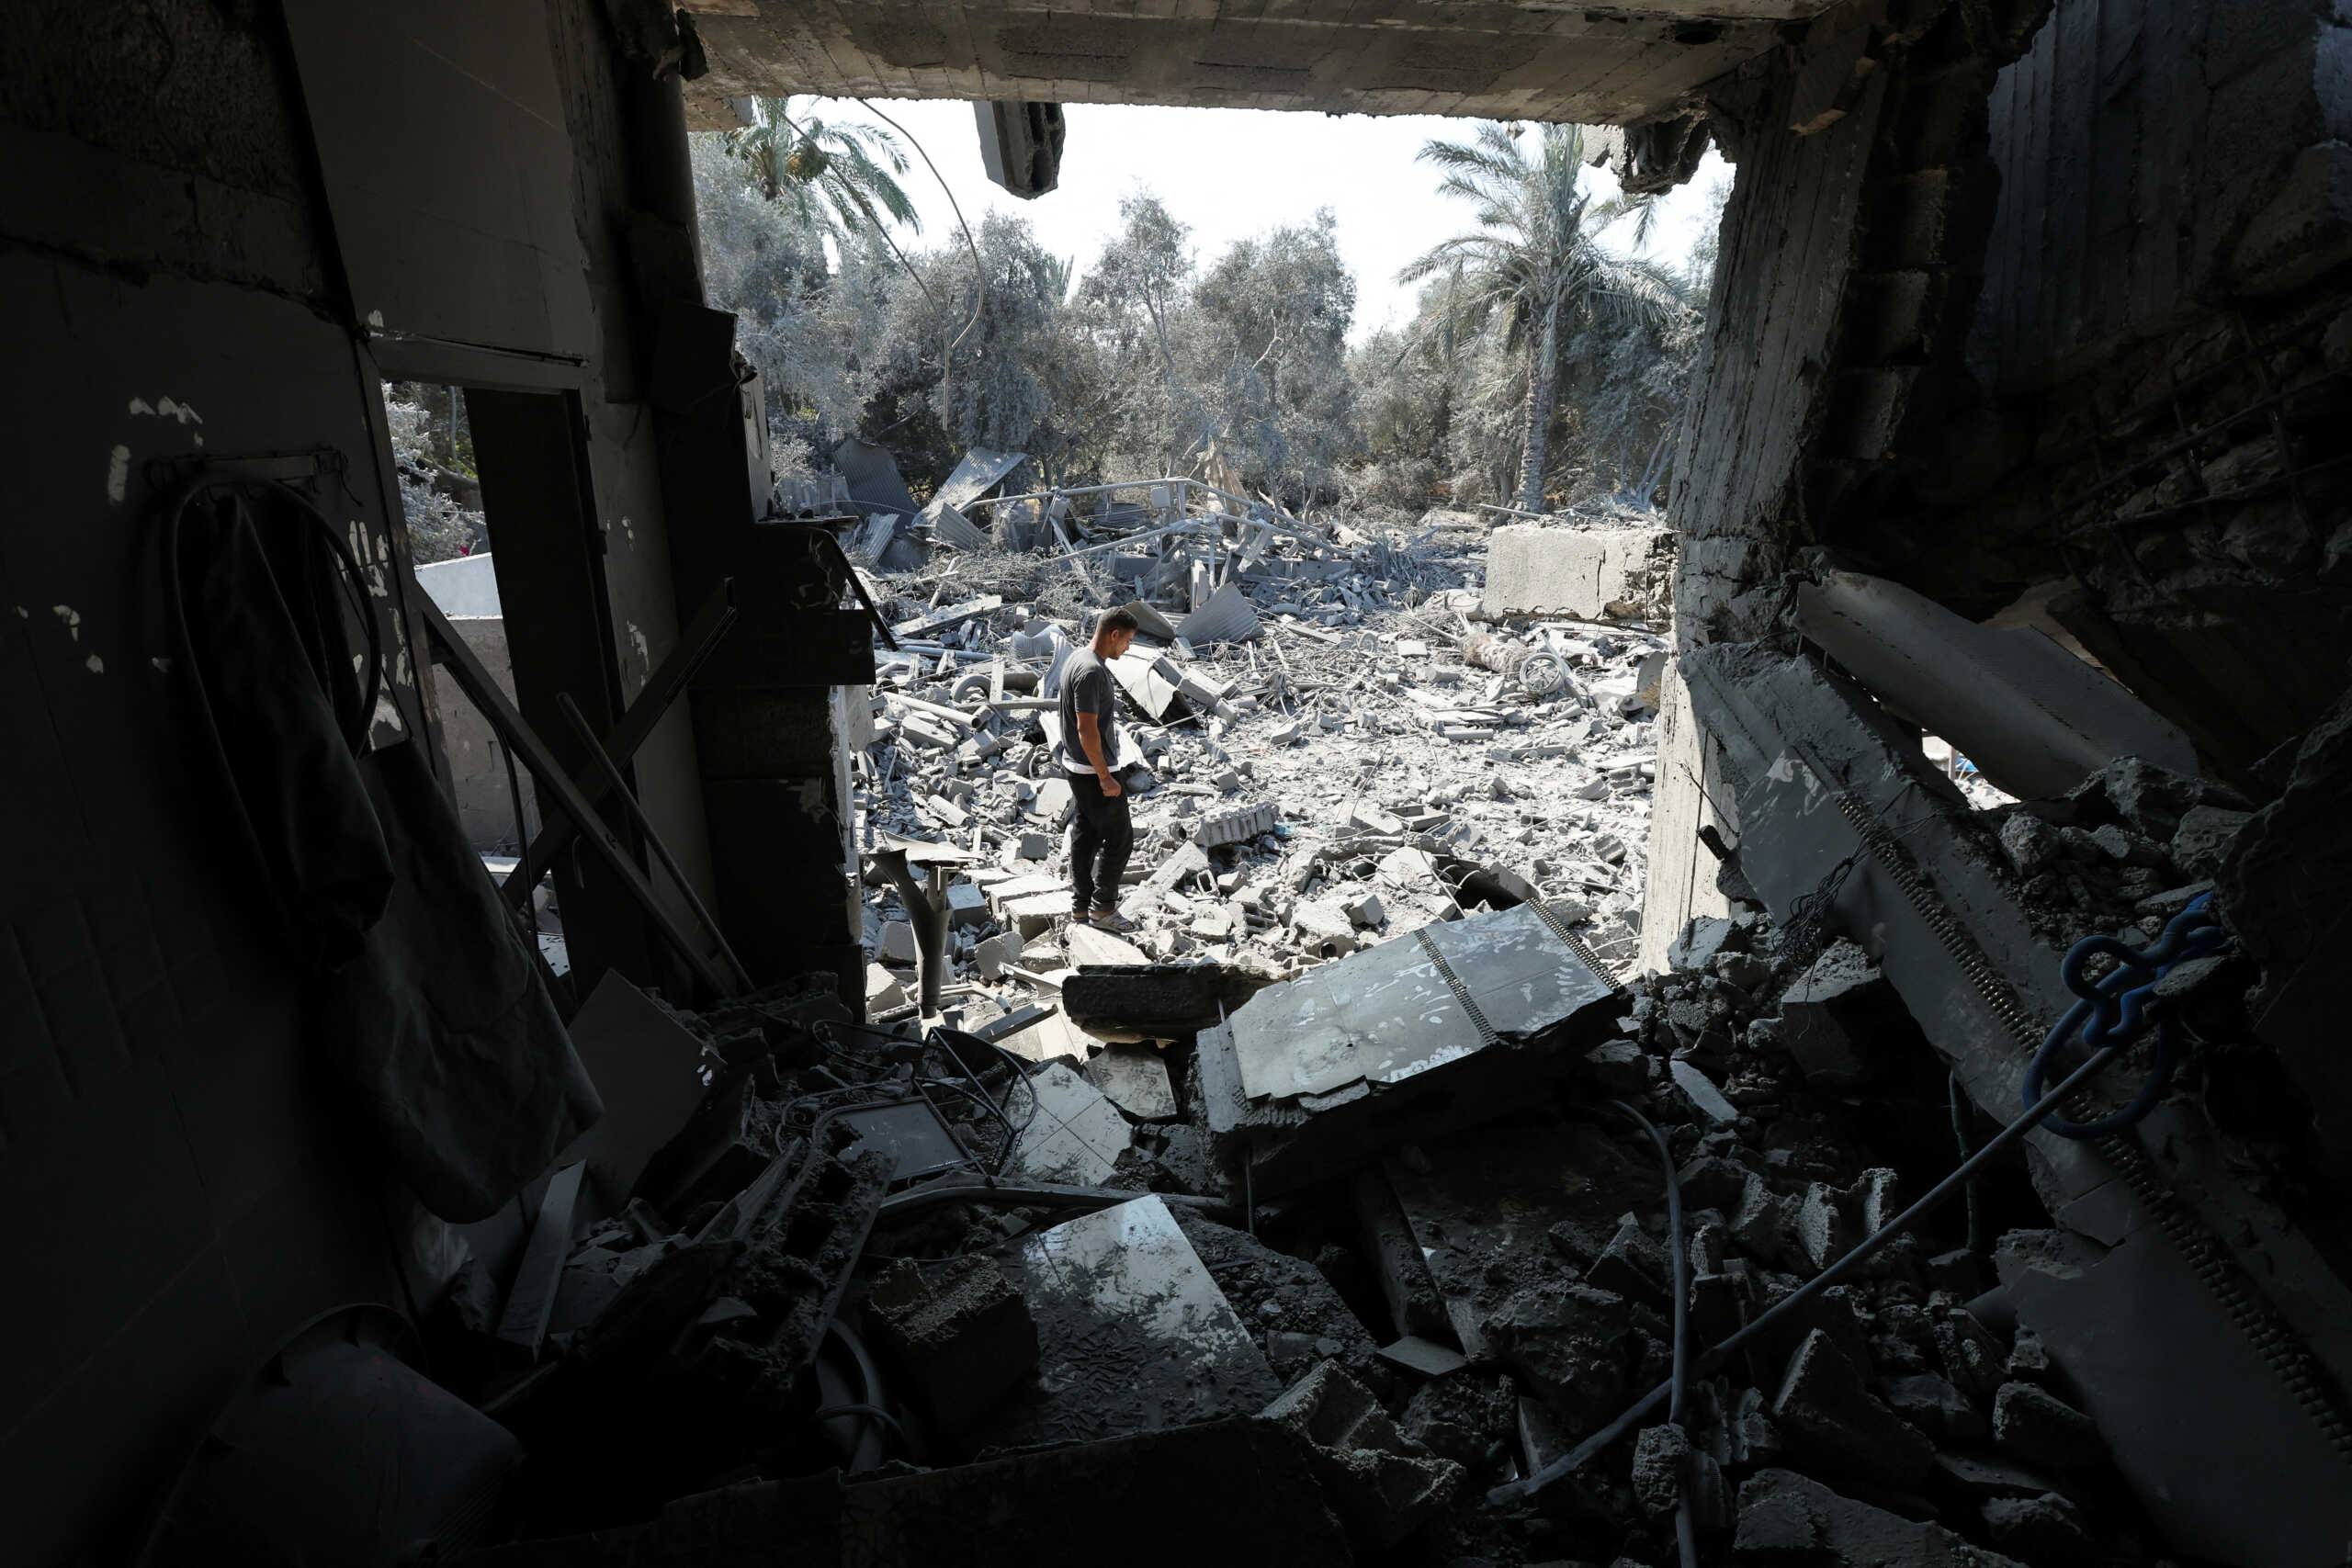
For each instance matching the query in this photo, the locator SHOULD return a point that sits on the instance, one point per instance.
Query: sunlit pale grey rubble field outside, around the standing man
(1354, 758)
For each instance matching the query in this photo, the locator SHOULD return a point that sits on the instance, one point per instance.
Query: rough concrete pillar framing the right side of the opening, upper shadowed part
(1852, 257)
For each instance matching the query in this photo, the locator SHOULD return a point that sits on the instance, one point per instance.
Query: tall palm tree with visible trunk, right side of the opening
(1537, 257)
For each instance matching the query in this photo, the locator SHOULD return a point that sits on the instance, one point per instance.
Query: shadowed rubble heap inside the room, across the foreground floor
(907, 1254)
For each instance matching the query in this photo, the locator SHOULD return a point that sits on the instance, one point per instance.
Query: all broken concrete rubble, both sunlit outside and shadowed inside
(1323, 1170)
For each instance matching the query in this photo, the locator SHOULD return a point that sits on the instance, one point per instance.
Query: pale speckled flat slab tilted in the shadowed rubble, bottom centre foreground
(1135, 1336)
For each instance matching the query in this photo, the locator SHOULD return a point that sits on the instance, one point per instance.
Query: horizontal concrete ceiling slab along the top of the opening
(1379, 58)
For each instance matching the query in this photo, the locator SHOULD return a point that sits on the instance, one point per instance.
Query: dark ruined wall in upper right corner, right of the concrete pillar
(2165, 366)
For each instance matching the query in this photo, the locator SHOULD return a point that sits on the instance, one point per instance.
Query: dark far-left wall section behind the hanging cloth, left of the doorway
(180, 1193)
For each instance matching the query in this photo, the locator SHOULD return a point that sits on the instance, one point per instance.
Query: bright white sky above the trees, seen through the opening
(1238, 173)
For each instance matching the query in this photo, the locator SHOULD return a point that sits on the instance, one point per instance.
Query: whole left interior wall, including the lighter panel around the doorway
(175, 283)
